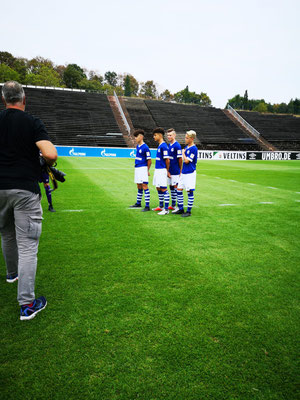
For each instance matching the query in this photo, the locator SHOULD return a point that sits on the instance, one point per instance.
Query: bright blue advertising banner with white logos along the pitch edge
(106, 152)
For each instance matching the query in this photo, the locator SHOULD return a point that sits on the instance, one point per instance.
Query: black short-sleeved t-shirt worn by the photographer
(19, 155)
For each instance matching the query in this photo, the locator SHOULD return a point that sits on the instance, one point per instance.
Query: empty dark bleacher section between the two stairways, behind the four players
(214, 129)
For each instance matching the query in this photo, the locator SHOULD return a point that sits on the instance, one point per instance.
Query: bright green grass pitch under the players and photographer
(142, 306)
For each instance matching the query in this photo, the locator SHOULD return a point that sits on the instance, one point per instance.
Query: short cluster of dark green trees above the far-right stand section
(243, 103)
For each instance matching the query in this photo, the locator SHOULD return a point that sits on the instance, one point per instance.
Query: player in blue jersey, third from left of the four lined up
(175, 155)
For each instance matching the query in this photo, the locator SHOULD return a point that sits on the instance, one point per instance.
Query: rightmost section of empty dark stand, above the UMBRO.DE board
(283, 131)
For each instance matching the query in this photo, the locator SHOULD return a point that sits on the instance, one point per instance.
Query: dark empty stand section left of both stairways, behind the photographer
(75, 118)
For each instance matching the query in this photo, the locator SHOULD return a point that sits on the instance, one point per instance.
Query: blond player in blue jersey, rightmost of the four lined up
(187, 179)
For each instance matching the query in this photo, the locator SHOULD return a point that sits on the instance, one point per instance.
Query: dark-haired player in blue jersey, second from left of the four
(162, 165)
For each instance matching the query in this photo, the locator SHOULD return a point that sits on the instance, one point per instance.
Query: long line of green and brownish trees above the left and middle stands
(40, 71)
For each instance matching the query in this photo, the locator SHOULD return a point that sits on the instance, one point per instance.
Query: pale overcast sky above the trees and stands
(218, 47)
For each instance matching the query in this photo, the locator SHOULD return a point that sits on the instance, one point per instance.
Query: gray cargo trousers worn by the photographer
(20, 229)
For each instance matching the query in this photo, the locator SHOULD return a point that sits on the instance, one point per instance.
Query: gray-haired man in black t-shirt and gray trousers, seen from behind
(22, 138)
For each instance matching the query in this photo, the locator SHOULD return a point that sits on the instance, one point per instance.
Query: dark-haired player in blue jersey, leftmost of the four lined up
(141, 171)
